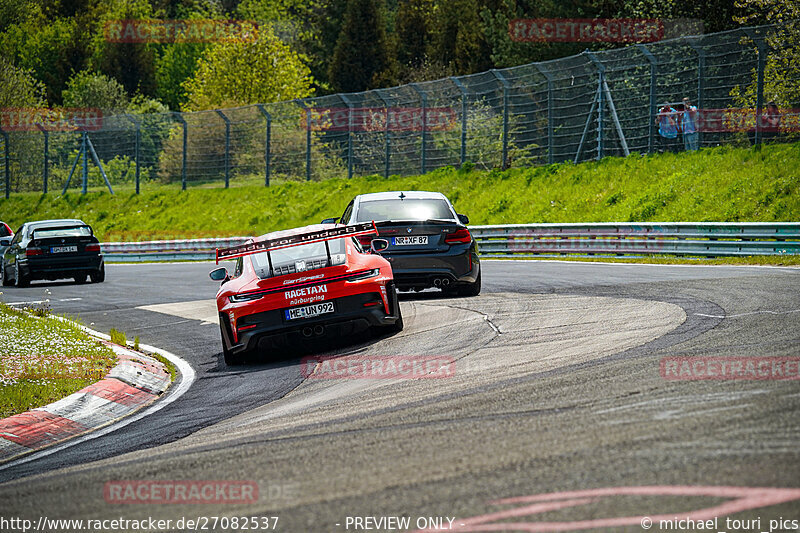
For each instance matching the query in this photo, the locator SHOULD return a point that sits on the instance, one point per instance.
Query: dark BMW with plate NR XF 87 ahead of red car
(429, 243)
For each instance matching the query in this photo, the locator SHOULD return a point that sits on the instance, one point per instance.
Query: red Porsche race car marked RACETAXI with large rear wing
(304, 284)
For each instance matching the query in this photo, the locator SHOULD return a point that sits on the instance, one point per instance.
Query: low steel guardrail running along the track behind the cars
(705, 239)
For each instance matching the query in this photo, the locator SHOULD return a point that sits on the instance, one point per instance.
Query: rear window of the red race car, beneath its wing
(299, 258)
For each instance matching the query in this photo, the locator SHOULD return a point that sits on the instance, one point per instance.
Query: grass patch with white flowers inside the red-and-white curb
(43, 359)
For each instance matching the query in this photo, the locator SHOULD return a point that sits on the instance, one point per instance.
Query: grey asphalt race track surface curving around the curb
(557, 389)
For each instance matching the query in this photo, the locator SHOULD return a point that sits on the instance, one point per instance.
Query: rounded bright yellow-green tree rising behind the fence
(239, 73)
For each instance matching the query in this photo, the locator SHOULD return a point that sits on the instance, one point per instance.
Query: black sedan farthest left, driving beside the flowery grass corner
(53, 249)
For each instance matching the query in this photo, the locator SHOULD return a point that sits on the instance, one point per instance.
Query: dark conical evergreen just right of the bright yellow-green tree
(361, 56)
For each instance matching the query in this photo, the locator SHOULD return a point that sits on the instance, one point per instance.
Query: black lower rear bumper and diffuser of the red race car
(270, 330)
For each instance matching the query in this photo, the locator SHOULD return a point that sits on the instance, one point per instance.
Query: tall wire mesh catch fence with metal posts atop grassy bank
(577, 108)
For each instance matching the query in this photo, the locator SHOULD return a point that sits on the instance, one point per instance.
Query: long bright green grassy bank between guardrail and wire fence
(719, 184)
